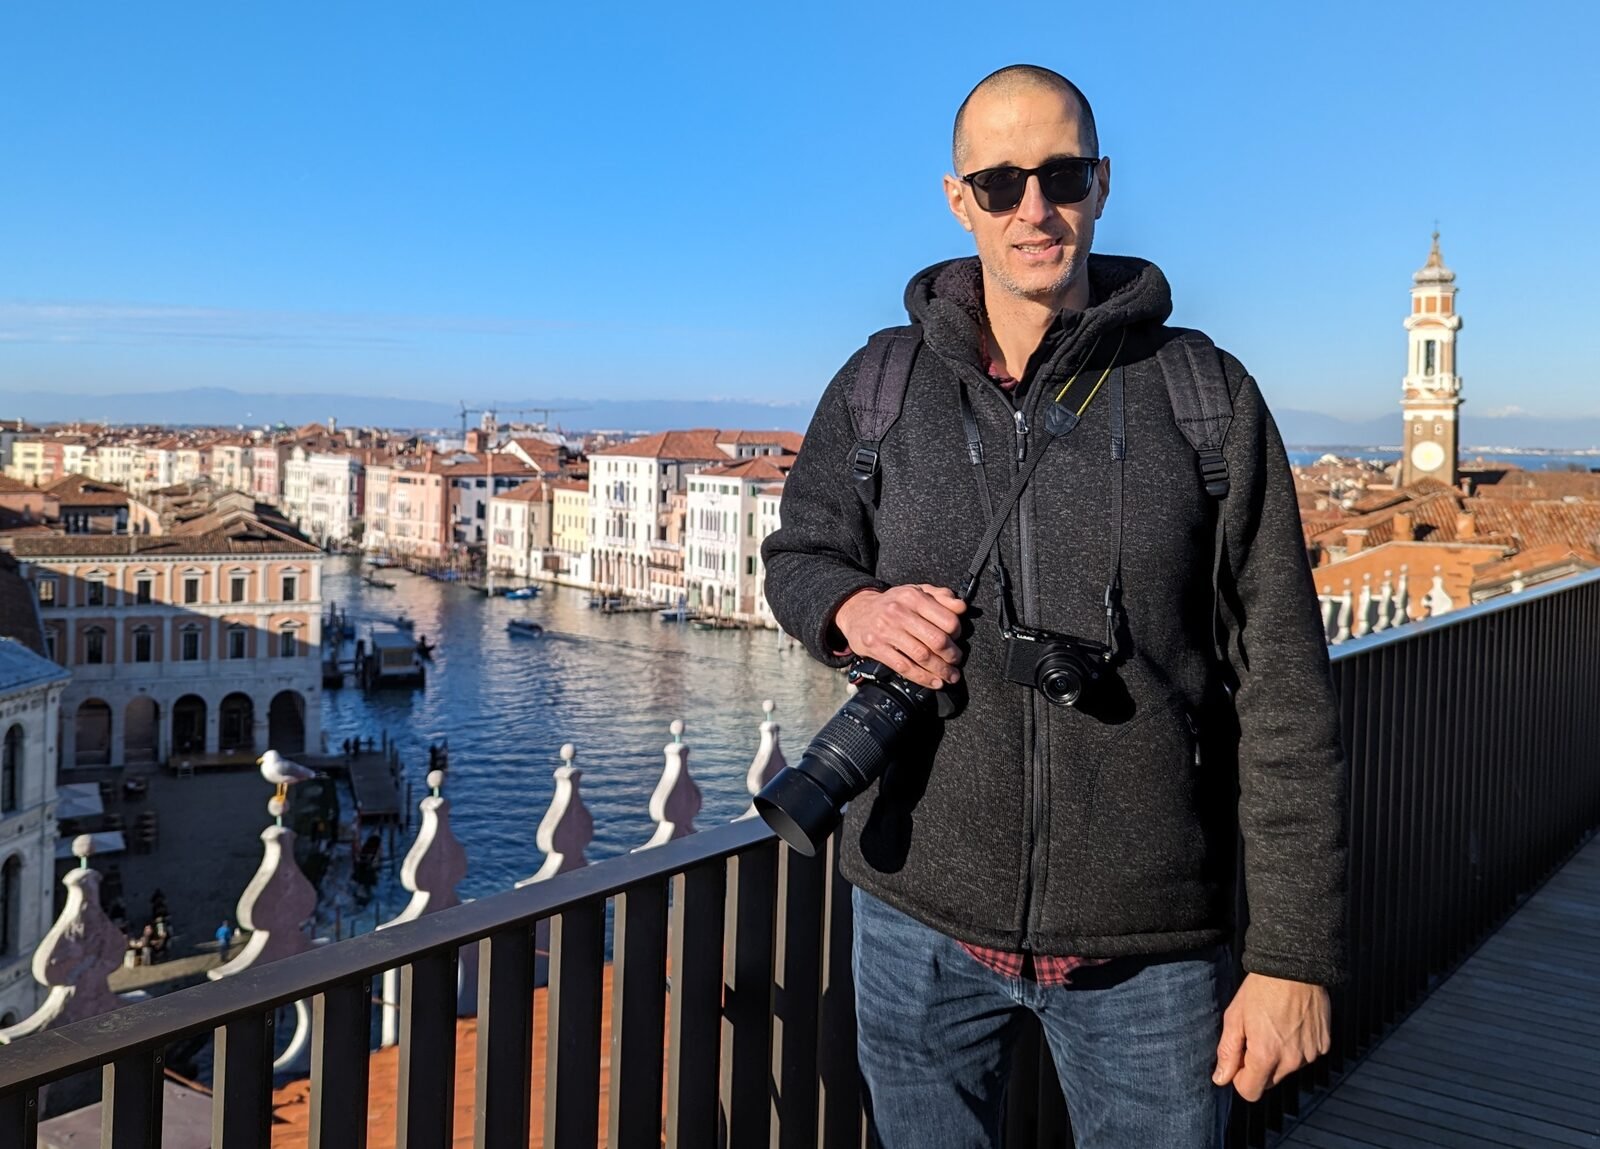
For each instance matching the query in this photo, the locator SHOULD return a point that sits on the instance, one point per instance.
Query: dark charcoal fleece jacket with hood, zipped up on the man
(1106, 830)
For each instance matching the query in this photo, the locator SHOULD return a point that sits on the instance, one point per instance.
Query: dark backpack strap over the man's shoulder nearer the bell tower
(1204, 410)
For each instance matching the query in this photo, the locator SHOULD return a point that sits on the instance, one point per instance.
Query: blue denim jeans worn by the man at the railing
(1134, 1041)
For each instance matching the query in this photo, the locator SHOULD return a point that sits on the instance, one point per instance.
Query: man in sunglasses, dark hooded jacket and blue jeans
(1073, 862)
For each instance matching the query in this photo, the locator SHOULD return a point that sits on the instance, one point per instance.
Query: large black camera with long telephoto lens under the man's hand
(806, 801)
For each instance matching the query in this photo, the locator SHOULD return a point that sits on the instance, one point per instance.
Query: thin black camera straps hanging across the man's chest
(1060, 422)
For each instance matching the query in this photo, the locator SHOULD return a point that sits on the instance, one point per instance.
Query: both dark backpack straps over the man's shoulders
(1196, 388)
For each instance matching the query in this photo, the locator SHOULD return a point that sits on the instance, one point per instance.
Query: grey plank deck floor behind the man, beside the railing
(1505, 1054)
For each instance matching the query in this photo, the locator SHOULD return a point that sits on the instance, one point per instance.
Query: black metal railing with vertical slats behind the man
(1474, 774)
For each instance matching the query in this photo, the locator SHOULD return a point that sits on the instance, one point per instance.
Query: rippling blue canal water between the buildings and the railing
(609, 684)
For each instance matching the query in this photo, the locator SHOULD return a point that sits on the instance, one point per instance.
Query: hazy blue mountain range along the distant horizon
(223, 407)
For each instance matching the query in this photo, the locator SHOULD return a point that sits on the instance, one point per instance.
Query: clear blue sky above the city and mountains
(502, 201)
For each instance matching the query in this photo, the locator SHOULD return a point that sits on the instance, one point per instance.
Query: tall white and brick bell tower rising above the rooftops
(1433, 390)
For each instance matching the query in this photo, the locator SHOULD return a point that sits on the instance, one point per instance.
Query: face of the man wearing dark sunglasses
(1038, 250)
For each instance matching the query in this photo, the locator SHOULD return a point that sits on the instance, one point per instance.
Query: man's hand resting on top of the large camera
(911, 630)
